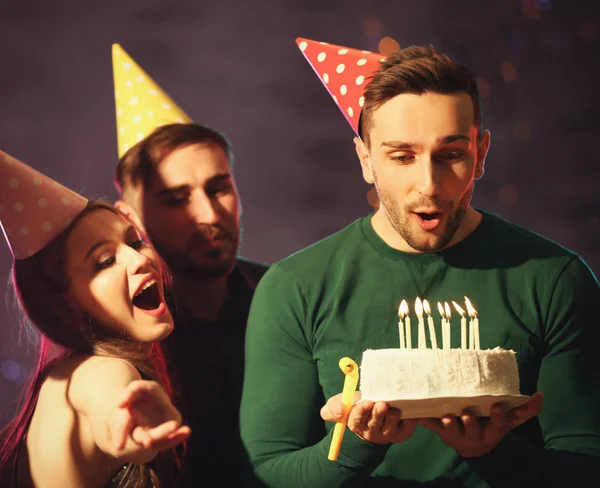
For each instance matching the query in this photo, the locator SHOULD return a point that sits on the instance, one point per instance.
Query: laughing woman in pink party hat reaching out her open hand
(97, 411)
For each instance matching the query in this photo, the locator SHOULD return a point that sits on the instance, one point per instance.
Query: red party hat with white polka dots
(344, 72)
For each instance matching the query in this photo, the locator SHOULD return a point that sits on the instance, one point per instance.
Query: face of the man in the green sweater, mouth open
(424, 156)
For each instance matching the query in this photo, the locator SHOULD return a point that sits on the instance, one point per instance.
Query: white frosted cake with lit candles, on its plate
(433, 382)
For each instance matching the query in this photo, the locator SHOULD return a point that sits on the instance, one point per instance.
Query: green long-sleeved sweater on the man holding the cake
(340, 296)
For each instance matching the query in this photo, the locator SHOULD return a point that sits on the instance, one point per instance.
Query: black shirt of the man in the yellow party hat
(206, 361)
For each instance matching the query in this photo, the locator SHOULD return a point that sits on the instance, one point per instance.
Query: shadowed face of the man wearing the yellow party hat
(191, 211)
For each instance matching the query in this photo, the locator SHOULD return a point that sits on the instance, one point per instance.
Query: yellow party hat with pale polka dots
(141, 105)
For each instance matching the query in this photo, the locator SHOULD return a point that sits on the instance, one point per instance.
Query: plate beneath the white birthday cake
(441, 406)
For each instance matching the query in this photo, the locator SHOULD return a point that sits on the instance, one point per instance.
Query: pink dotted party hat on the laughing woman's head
(34, 208)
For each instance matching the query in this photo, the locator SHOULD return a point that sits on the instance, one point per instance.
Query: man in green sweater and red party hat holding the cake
(421, 144)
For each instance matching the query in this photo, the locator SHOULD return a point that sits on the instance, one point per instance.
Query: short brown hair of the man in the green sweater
(416, 70)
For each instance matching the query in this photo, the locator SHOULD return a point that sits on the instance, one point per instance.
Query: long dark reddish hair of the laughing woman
(40, 284)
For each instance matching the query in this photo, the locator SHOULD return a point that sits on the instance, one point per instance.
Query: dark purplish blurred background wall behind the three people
(234, 65)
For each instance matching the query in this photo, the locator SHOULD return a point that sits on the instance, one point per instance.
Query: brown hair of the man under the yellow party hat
(137, 164)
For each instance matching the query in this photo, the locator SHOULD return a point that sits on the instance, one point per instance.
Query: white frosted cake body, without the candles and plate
(392, 374)
